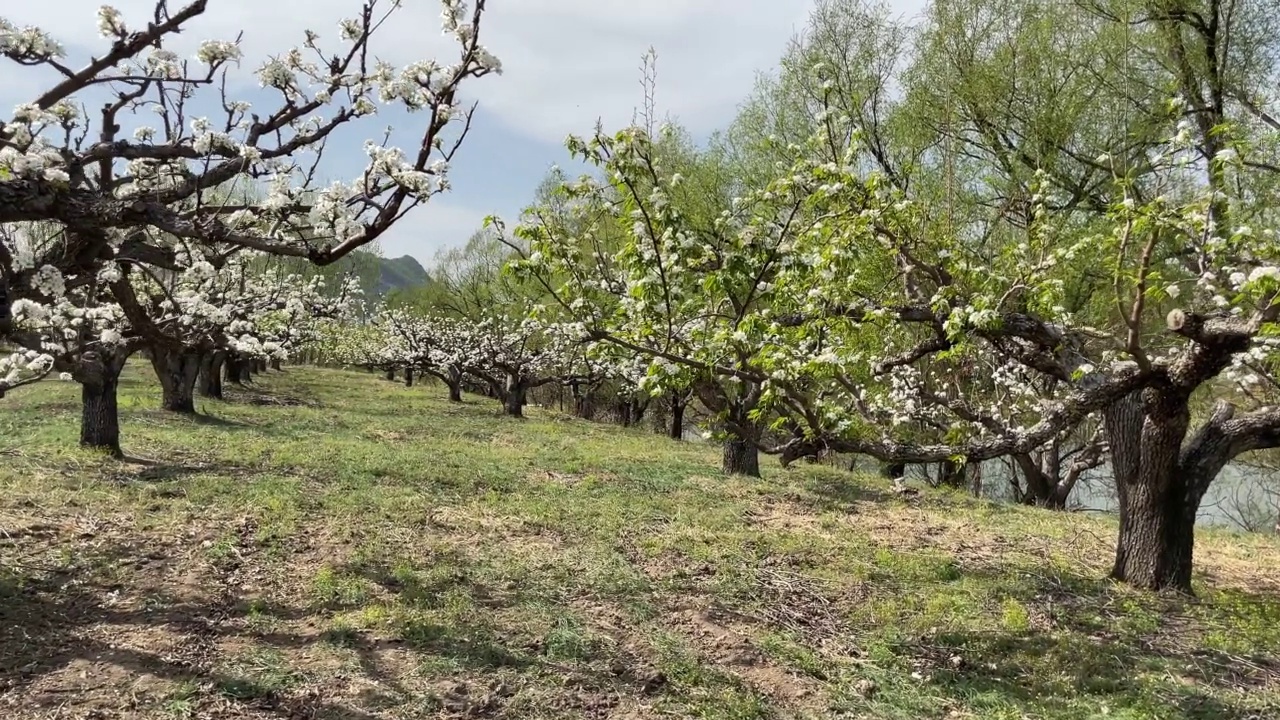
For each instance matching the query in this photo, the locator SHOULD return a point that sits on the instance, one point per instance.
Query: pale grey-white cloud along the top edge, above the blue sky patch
(566, 62)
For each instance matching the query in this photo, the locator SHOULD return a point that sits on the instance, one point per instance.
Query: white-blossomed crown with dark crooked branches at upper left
(167, 186)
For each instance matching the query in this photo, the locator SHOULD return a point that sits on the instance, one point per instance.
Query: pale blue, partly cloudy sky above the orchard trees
(566, 65)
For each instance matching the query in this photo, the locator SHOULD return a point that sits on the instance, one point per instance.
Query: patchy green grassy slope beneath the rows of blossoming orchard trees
(377, 553)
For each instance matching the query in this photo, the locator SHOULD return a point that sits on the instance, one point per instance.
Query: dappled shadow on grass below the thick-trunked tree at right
(1090, 640)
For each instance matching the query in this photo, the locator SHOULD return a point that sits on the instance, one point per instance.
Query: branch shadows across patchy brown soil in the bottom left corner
(112, 636)
